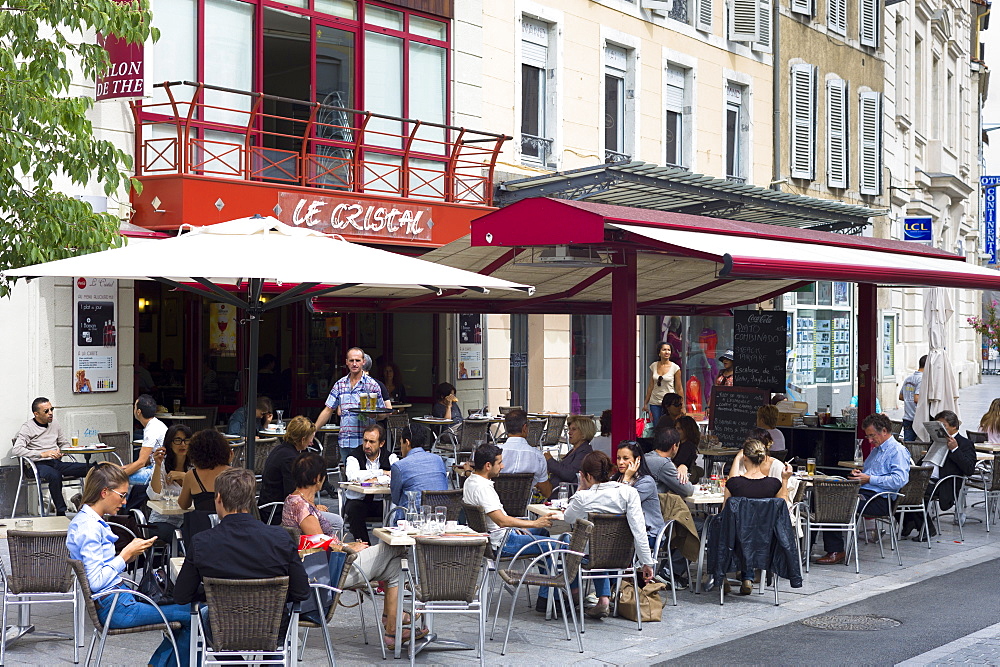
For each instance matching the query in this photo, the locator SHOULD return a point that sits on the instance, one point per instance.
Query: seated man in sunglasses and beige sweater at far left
(41, 440)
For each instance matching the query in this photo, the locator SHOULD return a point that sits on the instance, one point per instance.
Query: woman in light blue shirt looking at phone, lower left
(90, 540)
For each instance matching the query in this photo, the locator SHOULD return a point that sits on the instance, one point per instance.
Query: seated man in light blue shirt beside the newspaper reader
(887, 468)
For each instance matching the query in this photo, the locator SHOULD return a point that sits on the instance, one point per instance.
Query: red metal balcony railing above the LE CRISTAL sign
(240, 135)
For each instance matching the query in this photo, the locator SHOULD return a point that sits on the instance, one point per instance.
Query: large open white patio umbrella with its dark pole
(248, 252)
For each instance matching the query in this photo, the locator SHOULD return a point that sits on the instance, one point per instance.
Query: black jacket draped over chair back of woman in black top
(754, 534)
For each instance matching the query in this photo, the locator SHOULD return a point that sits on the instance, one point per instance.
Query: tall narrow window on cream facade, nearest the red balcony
(537, 99)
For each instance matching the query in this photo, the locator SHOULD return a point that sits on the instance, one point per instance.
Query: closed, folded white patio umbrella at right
(939, 388)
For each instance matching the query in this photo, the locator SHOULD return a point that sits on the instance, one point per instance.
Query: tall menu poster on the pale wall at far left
(95, 335)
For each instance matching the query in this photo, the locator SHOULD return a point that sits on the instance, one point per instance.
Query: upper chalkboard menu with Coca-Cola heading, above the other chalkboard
(759, 340)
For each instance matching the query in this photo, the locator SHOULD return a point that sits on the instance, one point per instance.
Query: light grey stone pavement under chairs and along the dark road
(696, 623)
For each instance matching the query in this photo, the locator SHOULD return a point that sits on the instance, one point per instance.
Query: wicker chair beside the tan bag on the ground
(611, 555)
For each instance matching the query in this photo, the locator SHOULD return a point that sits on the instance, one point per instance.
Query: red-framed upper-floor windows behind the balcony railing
(345, 53)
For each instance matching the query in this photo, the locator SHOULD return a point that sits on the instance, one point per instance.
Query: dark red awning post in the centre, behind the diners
(623, 341)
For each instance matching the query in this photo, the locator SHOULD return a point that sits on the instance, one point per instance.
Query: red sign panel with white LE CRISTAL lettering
(364, 218)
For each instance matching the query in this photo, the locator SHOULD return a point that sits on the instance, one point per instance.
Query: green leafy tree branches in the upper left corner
(46, 135)
